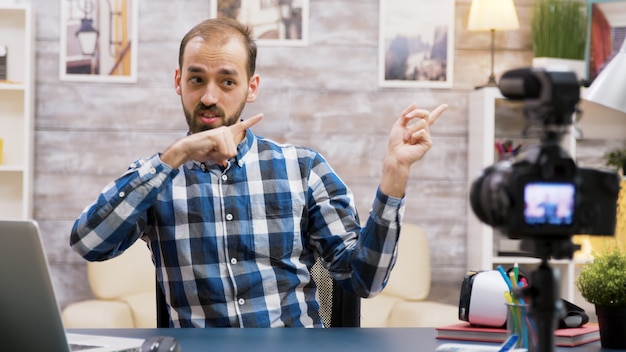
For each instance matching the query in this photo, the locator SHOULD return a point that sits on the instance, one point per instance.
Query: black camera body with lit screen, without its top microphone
(545, 193)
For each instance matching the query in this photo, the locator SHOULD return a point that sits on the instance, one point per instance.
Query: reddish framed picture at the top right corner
(606, 33)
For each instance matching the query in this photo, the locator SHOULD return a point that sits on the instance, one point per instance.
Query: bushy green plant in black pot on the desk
(602, 282)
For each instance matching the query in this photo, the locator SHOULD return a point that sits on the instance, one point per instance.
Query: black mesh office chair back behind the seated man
(338, 308)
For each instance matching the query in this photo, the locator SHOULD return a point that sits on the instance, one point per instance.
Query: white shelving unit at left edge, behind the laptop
(16, 112)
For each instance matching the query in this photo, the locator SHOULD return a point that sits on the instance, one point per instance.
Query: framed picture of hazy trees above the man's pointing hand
(416, 43)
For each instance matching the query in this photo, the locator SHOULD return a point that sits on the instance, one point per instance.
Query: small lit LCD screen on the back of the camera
(549, 203)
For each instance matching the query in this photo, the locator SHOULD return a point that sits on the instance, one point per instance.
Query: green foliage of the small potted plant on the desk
(603, 281)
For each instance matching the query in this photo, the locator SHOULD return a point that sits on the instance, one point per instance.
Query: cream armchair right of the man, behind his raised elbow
(404, 301)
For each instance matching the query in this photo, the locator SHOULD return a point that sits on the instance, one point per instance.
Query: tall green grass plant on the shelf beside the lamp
(559, 29)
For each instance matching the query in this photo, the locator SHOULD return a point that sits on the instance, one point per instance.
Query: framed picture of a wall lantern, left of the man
(98, 40)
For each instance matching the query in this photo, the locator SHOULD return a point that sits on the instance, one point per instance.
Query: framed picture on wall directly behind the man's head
(273, 22)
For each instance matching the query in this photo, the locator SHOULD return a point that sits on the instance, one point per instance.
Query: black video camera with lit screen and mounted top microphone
(543, 194)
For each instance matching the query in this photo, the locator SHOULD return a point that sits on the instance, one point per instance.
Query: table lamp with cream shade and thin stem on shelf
(492, 15)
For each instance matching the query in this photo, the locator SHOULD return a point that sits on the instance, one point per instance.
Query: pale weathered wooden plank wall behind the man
(324, 95)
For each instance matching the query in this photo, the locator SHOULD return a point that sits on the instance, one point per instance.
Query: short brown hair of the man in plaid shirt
(221, 27)
